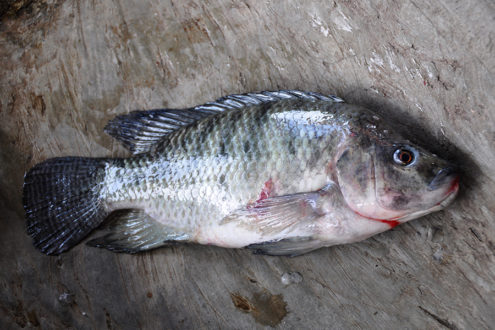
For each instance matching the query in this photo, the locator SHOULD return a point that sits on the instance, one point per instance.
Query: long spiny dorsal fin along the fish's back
(140, 130)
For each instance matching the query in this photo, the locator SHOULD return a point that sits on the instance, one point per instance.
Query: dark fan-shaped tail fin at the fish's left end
(61, 197)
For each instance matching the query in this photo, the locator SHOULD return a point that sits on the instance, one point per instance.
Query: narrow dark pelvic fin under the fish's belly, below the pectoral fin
(289, 247)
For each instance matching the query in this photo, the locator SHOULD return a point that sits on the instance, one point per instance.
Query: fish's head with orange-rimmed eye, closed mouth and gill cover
(394, 180)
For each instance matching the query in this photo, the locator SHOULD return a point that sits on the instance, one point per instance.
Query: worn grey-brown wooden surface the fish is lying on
(69, 66)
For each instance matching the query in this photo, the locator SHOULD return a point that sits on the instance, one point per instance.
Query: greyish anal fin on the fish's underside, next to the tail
(133, 231)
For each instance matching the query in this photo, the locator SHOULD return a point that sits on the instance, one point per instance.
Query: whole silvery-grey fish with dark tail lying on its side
(281, 173)
